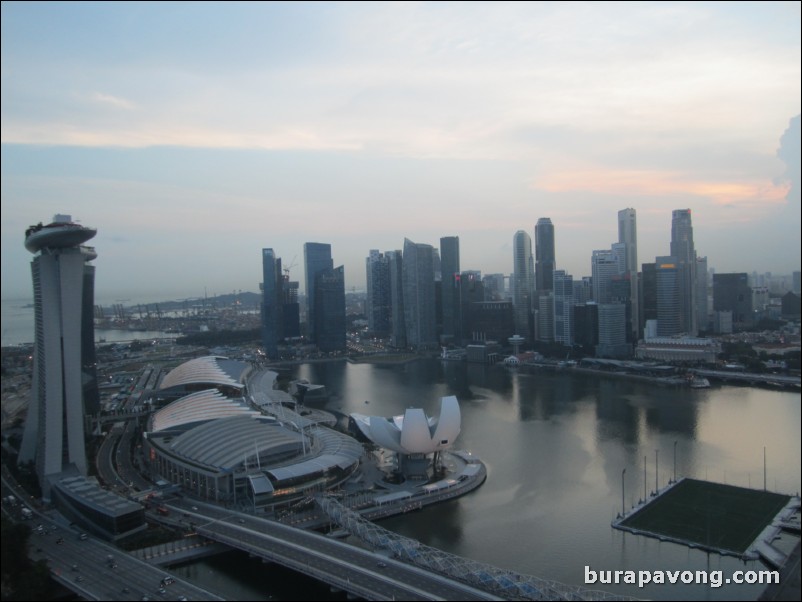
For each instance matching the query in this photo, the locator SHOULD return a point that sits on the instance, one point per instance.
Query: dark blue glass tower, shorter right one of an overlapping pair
(330, 309)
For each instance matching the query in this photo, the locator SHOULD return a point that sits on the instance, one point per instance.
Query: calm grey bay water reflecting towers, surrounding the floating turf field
(556, 445)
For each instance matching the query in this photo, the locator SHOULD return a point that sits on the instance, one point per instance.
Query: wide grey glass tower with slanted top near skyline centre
(419, 295)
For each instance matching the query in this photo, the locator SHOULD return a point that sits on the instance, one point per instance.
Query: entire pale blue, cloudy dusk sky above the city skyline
(192, 135)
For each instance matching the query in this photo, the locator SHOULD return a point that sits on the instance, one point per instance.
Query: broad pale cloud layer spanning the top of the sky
(417, 80)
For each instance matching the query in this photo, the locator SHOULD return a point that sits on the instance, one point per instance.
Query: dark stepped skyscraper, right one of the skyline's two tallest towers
(683, 251)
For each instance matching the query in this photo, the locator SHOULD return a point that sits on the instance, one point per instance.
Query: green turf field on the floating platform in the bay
(711, 515)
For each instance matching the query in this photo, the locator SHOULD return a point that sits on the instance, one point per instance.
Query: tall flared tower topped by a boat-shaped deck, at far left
(63, 284)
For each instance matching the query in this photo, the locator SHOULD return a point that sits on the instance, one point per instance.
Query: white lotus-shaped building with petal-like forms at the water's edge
(414, 433)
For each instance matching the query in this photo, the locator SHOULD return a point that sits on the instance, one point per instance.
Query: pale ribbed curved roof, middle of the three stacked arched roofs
(199, 407)
